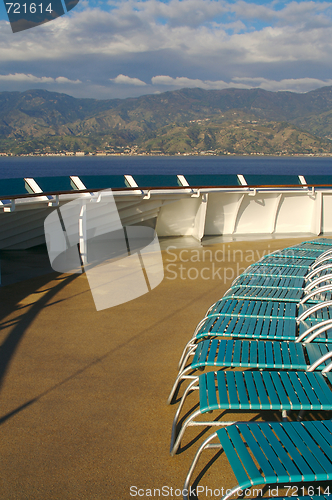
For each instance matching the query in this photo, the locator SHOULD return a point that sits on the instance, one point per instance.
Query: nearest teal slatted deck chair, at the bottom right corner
(285, 453)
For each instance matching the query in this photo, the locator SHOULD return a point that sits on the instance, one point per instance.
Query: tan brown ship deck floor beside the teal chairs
(83, 393)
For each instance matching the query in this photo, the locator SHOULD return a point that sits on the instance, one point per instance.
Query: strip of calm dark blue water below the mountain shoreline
(55, 166)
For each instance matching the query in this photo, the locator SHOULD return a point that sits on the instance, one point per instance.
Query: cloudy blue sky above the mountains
(108, 49)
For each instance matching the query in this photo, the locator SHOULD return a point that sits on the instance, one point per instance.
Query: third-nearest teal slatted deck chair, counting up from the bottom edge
(259, 354)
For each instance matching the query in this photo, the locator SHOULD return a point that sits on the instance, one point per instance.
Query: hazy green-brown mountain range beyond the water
(187, 120)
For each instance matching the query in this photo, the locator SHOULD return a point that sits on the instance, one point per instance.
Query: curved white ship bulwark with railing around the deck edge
(179, 210)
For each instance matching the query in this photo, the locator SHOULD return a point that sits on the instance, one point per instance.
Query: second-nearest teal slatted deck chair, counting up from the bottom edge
(253, 391)
